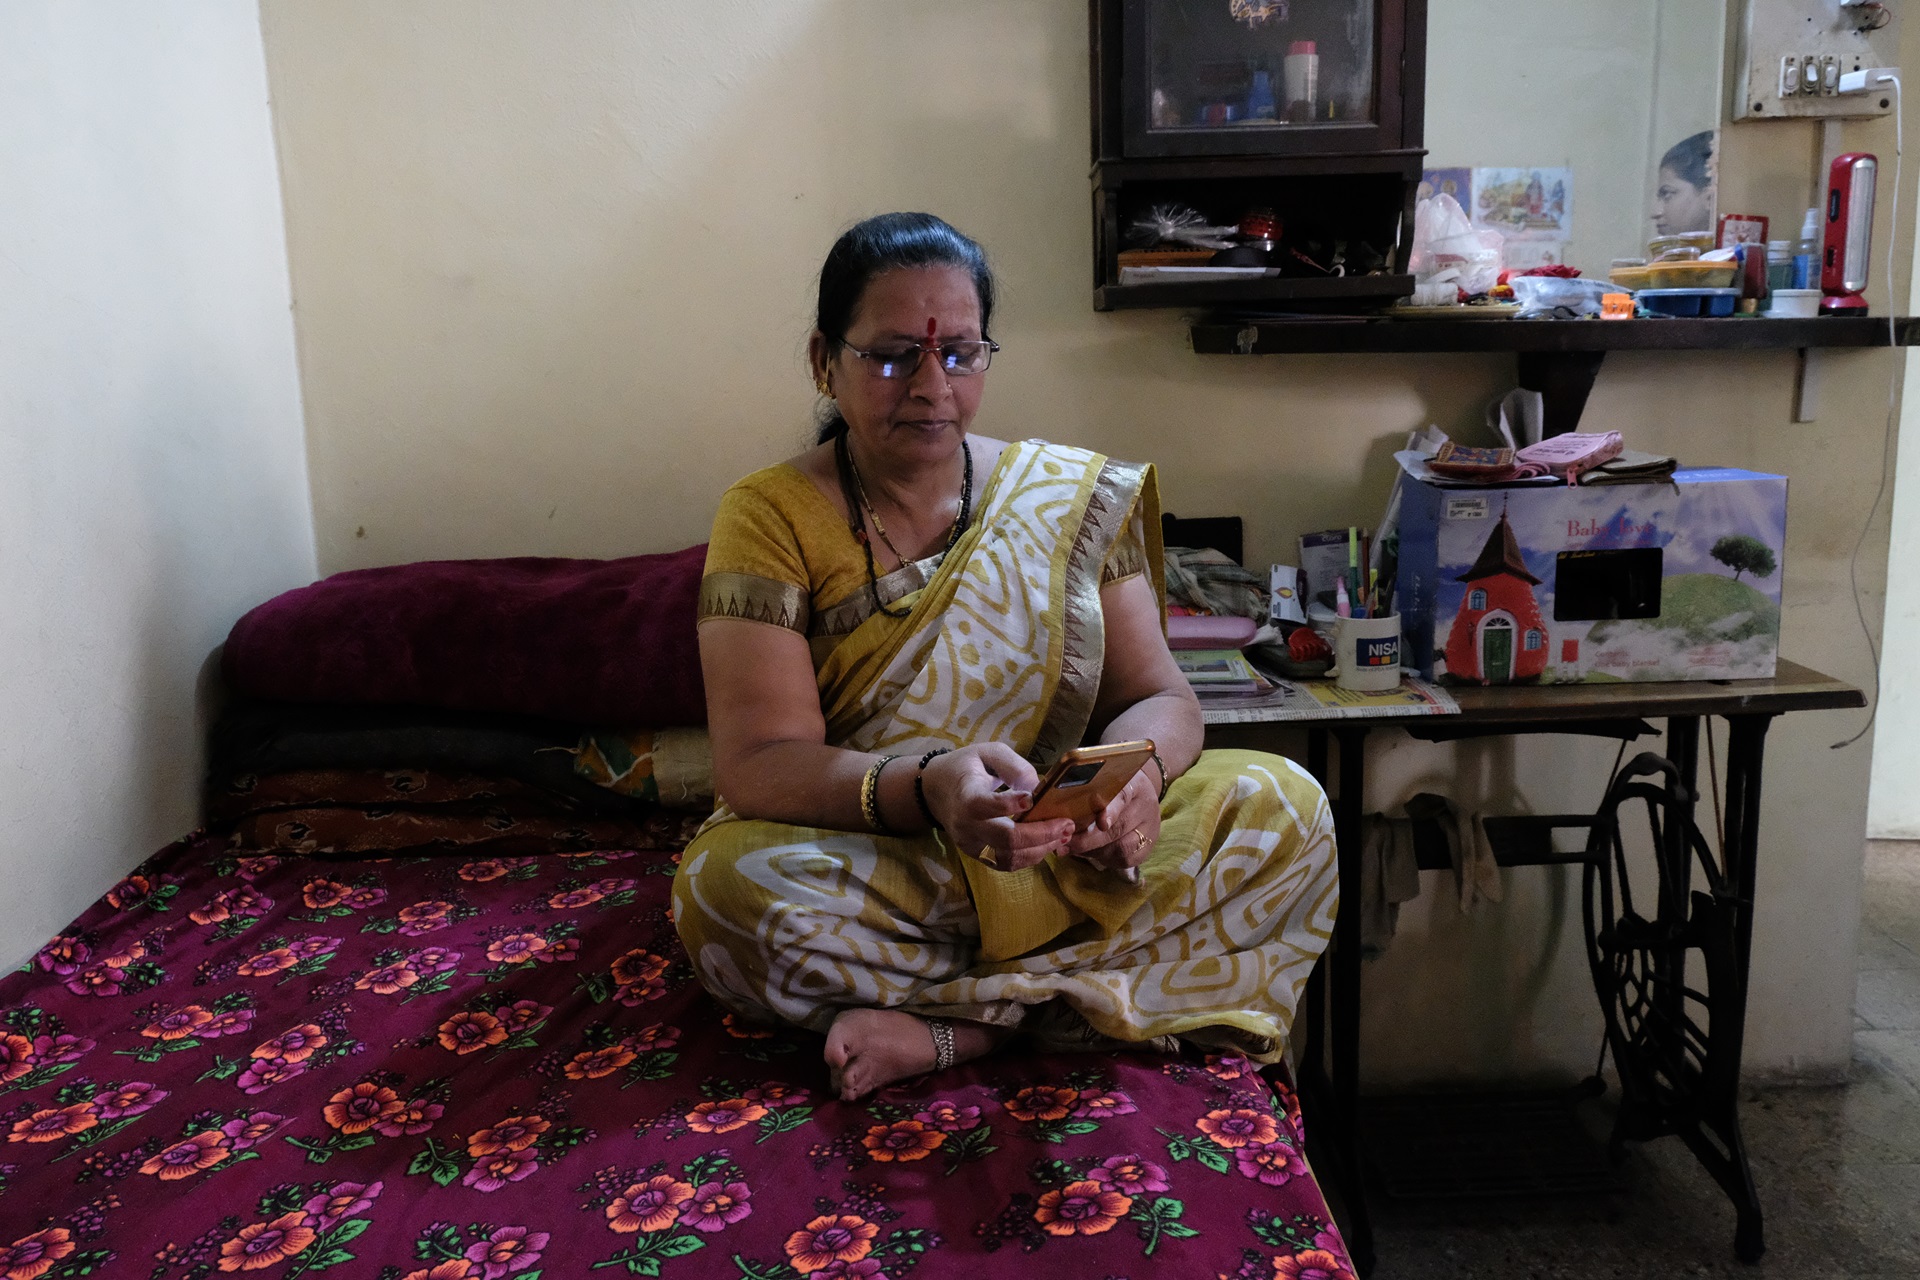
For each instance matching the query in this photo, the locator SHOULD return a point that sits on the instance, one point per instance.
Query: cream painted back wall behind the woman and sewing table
(554, 268)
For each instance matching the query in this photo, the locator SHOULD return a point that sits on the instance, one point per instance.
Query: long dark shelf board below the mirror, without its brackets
(1226, 337)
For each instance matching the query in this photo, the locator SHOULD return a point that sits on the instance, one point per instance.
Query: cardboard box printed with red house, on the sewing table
(1554, 584)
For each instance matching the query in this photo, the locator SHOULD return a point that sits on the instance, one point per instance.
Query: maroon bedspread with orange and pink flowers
(502, 1068)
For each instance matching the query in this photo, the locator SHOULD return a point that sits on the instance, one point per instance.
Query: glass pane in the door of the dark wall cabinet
(1251, 76)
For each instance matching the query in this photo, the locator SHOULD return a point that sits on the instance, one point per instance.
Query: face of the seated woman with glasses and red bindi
(923, 417)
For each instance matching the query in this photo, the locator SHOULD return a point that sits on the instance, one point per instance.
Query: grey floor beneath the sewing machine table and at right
(1838, 1168)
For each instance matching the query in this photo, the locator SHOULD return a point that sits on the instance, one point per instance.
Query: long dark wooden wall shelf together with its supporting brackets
(1556, 358)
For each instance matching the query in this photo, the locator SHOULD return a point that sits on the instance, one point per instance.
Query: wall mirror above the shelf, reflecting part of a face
(1577, 130)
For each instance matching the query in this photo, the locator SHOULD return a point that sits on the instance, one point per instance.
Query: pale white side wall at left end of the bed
(153, 473)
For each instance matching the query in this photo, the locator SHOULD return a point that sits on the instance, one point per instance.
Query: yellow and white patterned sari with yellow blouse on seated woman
(1003, 642)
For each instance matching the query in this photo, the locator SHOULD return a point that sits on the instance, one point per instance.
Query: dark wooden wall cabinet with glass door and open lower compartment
(1310, 108)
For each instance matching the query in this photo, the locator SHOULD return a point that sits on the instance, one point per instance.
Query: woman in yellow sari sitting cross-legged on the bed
(898, 630)
